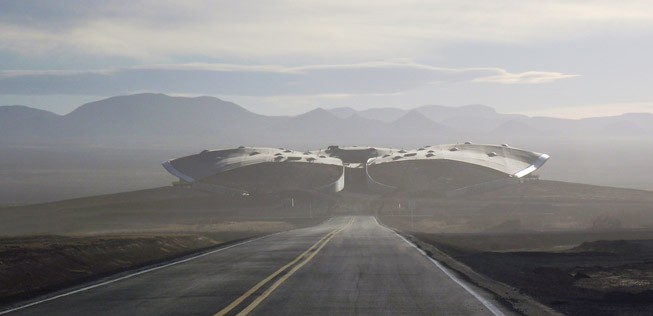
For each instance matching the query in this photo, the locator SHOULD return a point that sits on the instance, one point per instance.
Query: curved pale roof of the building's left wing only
(210, 162)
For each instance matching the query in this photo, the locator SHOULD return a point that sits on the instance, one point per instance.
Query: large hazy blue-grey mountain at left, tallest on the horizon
(153, 119)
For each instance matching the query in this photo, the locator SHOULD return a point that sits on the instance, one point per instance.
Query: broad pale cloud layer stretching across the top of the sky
(165, 31)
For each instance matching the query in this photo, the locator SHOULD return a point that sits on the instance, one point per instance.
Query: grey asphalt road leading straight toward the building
(345, 266)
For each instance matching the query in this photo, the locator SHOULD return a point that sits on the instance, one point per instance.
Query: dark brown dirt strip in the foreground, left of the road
(34, 265)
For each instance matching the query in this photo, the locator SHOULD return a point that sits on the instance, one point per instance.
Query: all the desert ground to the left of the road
(45, 247)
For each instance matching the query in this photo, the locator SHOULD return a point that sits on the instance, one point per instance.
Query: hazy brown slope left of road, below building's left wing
(165, 210)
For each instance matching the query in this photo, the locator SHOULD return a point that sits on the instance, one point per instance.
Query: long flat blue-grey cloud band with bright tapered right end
(261, 80)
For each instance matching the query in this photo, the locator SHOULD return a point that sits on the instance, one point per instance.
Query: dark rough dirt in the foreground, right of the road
(594, 278)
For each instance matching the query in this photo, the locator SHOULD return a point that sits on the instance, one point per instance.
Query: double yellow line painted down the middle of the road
(296, 264)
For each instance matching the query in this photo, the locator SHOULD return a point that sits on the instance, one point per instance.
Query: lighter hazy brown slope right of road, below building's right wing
(522, 209)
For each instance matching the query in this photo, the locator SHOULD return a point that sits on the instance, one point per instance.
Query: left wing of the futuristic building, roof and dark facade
(258, 170)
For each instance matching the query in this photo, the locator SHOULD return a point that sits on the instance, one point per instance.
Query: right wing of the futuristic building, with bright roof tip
(446, 169)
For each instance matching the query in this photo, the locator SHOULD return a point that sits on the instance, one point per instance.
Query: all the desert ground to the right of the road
(581, 250)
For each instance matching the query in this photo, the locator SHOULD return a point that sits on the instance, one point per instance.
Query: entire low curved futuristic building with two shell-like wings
(449, 170)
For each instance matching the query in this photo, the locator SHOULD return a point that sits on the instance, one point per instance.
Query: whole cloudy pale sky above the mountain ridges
(562, 58)
